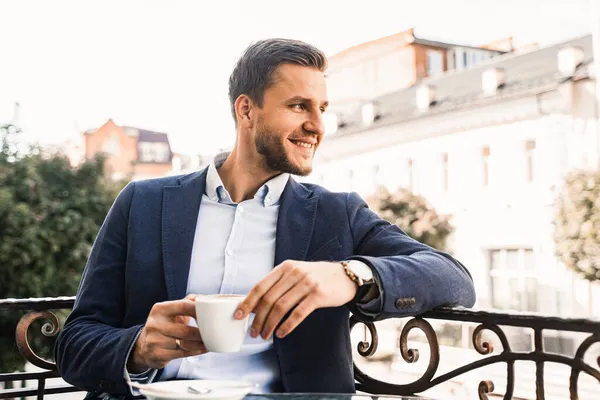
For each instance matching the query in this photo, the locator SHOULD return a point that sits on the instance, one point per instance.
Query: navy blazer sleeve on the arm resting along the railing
(413, 277)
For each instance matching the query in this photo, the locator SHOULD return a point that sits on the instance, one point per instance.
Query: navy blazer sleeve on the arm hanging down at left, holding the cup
(91, 350)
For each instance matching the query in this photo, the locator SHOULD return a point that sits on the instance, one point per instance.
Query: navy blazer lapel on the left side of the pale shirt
(181, 204)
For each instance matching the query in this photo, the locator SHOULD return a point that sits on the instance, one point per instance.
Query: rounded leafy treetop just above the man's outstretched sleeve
(414, 215)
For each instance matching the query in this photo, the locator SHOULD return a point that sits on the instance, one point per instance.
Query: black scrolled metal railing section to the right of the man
(489, 321)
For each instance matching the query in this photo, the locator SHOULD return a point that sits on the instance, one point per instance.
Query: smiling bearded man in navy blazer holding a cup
(306, 257)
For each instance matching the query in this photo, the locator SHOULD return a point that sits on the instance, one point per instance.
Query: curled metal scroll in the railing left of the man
(49, 329)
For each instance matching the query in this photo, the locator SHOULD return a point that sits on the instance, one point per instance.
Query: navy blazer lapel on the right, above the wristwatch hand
(295, 223)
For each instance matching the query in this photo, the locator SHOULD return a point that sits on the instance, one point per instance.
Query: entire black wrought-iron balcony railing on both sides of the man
(38, 309)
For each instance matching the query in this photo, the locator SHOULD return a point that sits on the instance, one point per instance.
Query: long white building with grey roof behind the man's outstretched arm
(489, 145)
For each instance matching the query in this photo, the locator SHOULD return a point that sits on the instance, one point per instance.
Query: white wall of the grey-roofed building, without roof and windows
(510, 212)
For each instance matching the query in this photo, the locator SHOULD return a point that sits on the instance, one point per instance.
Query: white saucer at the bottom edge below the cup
(178, 390)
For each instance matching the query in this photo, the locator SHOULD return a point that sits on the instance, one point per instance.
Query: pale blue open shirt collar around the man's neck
(269, 193)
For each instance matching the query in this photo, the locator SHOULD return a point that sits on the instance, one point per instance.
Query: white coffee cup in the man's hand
(220, 331)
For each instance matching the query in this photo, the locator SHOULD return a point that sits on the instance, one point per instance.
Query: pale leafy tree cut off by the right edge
(577, 224)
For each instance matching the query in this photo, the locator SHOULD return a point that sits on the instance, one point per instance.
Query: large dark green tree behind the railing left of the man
(50, 214)
